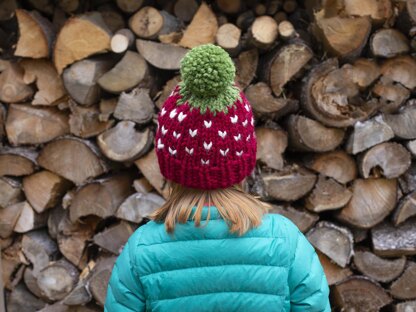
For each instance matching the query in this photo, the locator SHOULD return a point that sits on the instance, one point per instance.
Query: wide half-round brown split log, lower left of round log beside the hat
(74, 159)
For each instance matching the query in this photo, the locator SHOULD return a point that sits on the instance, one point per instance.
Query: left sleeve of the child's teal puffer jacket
(125, 291)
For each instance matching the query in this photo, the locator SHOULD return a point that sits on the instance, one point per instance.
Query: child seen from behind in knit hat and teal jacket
(212, 246)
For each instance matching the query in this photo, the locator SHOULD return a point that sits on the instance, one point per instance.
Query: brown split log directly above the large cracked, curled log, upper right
(342, 36)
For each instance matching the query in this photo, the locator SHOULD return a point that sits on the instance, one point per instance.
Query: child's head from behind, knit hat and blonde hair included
(205, 141)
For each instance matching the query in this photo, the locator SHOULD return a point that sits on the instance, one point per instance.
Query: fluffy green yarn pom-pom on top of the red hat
(208, 79)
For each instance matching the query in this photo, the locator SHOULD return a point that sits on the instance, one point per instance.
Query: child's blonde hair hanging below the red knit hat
(240, 209)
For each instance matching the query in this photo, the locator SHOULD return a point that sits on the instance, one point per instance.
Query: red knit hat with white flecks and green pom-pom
(205, 136)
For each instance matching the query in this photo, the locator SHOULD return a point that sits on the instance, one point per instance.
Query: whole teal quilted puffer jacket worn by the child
(270, 268)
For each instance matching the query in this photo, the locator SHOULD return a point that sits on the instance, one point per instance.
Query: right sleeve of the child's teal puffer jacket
(308, 286)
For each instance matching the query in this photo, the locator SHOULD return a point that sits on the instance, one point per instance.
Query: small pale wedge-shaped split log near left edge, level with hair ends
(28, 219)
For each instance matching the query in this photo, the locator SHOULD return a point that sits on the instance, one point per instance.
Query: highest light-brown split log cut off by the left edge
(13, 88)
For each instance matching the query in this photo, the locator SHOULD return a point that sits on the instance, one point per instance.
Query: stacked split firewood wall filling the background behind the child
(332, 85)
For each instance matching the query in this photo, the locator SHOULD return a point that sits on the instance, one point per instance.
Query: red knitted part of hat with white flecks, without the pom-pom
(204, 151)
